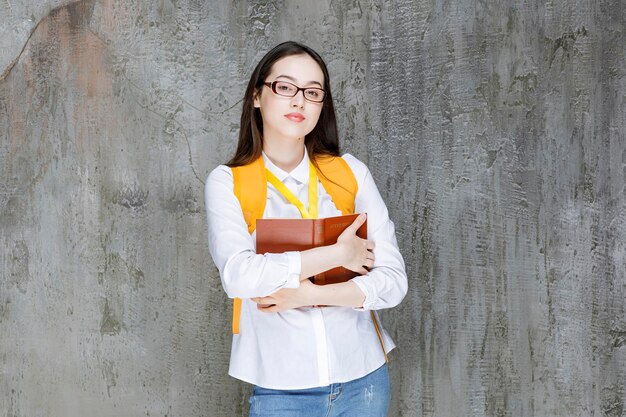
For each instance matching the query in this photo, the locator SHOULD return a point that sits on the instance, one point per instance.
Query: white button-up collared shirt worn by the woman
(304, 347)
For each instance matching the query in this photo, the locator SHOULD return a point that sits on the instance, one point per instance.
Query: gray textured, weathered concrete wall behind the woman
(495, 130)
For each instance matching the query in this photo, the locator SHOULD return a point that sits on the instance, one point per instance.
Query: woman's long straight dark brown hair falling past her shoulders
(322, 140)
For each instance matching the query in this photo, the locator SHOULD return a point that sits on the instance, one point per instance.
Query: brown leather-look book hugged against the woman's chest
(283, 235)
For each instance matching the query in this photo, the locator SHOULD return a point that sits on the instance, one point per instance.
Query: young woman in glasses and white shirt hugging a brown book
(302, 360)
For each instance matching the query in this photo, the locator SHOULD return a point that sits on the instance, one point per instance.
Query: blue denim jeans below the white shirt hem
(363, 397)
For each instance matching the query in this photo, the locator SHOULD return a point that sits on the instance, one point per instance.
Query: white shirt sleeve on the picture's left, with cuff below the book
(243, 272)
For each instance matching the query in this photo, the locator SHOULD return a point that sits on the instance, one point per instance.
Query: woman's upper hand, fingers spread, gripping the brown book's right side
(356, 254)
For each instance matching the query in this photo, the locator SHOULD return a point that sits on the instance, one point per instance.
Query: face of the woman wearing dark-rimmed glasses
(290, 118)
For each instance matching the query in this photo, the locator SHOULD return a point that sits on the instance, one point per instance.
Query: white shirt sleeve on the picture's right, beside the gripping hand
(386, 284)
